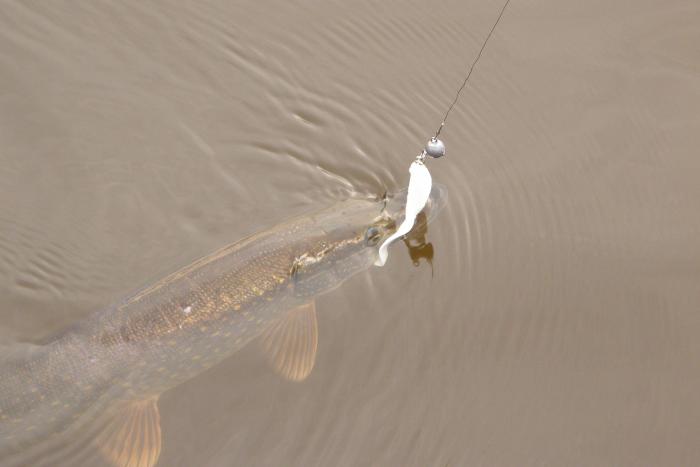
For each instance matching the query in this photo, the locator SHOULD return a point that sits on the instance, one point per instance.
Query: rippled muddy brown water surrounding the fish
(559, 324)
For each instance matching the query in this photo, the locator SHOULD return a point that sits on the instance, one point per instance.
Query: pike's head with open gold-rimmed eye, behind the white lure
(348, 238)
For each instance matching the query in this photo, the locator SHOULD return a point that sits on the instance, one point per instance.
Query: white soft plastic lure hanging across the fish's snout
(419, 186)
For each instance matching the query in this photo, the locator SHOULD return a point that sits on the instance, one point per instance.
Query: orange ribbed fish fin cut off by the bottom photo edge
(132, 438)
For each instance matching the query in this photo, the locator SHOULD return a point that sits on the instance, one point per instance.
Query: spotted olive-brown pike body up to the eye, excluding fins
(174, 329)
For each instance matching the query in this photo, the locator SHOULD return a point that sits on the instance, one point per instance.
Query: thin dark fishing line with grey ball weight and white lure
(420, 182)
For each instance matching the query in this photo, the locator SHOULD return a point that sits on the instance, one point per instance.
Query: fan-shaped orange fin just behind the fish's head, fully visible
(290, 344)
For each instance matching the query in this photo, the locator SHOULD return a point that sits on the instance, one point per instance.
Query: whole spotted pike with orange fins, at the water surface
(103, 377)
